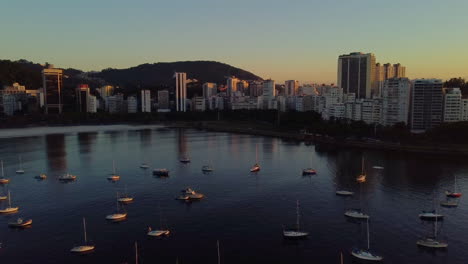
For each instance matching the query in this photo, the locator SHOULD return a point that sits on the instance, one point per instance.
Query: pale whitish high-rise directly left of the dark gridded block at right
(395, 101)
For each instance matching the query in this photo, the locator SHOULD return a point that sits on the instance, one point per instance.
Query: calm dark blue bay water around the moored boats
(244, 211)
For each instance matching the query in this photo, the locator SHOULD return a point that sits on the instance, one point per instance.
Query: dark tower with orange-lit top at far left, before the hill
(52, 81)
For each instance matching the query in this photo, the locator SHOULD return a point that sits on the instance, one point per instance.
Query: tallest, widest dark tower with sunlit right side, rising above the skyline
(356, 73)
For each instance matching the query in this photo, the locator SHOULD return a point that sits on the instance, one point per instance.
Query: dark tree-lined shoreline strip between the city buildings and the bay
(325, 142)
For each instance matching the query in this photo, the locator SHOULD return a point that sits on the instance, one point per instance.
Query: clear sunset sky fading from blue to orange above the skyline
(282, 40)
